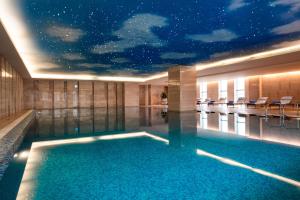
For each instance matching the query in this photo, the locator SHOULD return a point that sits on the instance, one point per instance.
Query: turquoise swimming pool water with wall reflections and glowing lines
(180, 156)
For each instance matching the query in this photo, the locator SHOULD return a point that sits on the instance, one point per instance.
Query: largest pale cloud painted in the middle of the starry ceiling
(135, 31)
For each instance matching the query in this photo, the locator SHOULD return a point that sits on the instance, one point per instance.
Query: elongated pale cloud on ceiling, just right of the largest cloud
(220, 35)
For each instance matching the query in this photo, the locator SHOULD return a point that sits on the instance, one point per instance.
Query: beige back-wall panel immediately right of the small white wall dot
(85, 94)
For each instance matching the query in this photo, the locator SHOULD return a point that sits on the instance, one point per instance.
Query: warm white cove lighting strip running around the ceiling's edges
(34, 60)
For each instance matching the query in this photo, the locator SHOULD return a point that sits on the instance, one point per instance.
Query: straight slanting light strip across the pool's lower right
(241, 165)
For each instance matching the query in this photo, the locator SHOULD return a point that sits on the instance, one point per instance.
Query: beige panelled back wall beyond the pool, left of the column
(49, 94)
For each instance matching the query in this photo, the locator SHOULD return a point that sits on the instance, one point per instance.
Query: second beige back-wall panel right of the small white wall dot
(100, 94)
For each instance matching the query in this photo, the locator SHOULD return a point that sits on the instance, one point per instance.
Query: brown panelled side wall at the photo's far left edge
(11, 90)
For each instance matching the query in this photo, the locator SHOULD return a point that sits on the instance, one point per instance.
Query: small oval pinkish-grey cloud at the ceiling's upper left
(65, 34)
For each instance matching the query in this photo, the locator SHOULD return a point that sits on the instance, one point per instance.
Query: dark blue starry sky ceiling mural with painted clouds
(144, 37)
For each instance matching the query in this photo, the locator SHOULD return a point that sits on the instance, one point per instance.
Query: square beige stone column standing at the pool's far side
(182, 89)
